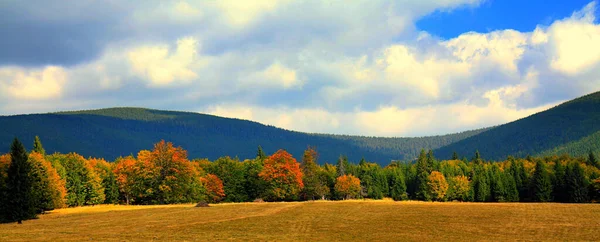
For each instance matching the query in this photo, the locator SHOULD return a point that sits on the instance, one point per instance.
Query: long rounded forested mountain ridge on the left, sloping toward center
(114, 132)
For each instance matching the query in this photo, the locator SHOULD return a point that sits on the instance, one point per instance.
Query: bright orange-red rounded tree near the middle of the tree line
(281, 173)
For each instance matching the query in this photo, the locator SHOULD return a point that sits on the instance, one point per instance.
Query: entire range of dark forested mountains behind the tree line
(572, 127)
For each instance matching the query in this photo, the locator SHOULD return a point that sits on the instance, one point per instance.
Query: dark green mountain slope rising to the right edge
(572, 127)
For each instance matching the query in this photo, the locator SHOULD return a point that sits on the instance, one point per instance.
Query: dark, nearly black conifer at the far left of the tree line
(20, 206)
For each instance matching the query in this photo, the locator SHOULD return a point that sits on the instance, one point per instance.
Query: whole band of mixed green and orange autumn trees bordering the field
(34, 182)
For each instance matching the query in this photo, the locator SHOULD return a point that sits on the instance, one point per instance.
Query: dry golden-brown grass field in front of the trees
(324, 221)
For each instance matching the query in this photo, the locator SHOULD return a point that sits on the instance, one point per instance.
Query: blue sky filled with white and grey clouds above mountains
(386, 68)
